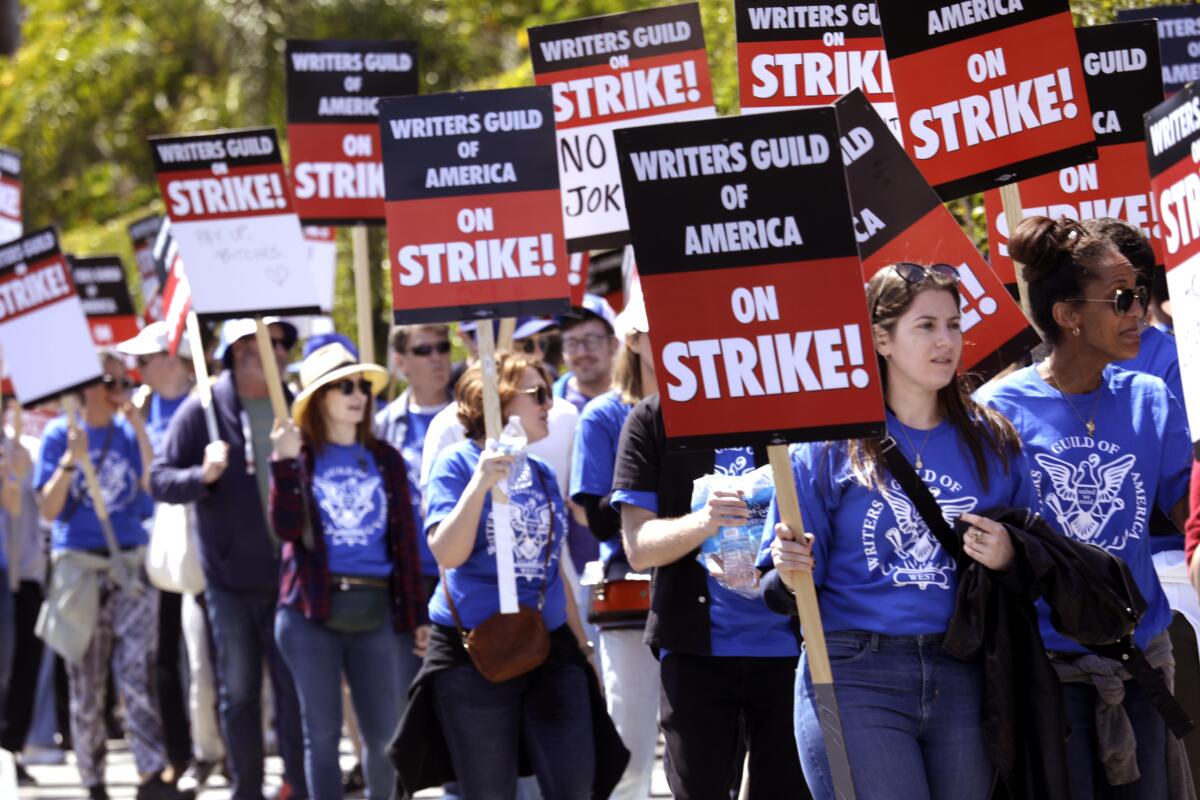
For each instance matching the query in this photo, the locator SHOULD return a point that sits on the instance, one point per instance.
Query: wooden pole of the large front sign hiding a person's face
(814, 631)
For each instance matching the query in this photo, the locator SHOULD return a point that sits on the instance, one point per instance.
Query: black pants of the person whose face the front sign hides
(701, 703)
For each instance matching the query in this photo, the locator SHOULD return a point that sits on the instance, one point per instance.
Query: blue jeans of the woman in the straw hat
(380, 665)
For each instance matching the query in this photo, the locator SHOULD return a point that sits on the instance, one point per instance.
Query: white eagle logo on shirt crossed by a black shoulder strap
(917, 558)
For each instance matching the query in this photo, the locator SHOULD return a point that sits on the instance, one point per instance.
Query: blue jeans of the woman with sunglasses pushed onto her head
(911, 717)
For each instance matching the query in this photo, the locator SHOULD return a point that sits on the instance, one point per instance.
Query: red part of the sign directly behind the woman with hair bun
(1115, 185)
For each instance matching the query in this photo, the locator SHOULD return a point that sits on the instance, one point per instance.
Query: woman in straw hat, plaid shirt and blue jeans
(351, 596)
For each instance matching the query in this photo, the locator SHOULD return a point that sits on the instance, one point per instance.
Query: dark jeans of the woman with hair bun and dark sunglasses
(1088, 779)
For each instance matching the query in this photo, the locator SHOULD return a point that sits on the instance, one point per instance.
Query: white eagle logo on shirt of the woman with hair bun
(1085, 496)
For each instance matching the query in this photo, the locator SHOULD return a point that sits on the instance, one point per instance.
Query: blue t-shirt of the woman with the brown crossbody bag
(536, 512)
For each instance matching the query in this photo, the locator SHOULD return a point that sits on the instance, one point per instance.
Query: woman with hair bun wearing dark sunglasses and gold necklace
(1105, 446)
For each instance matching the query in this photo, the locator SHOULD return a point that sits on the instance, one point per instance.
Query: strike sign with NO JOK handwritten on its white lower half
(617, 71)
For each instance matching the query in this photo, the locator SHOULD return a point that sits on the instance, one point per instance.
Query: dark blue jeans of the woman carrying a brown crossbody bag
(548, 712)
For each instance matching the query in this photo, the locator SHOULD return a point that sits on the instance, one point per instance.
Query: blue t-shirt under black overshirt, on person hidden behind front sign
(739, 625)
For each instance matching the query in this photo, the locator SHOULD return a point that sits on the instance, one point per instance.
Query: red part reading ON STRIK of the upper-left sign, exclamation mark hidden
(337, 172)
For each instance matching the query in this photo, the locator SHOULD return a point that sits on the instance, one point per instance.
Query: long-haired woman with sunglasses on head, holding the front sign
(911, 713)
